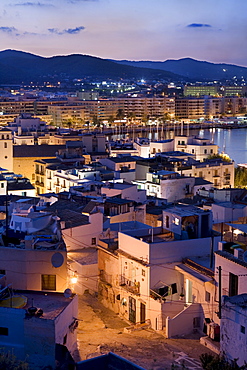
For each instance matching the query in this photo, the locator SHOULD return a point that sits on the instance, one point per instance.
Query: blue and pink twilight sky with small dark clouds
(212, 30)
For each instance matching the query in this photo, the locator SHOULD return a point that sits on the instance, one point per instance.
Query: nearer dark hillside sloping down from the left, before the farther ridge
(18, 67)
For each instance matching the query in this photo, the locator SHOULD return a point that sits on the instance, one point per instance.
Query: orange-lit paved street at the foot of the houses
(100, 331)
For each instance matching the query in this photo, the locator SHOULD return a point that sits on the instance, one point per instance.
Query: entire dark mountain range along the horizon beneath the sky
(18, 67)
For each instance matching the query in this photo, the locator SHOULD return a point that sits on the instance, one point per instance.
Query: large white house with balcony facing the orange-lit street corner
(143, 278)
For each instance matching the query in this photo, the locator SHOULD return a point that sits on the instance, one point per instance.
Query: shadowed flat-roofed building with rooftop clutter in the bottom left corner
(41, 329)
